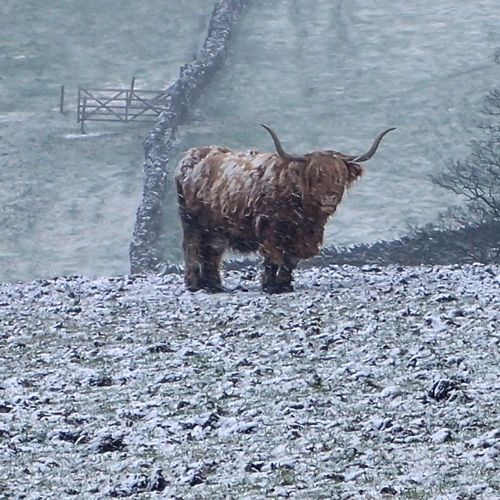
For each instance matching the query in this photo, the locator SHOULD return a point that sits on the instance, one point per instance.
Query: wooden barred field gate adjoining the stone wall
(119, 105)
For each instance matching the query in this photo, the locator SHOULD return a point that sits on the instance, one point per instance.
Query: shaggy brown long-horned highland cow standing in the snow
(275, 204)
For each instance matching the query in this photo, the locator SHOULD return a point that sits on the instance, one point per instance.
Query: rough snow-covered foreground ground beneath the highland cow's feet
(364, 383)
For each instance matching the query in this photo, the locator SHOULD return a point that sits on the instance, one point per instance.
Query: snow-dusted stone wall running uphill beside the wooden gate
(145, 254)
